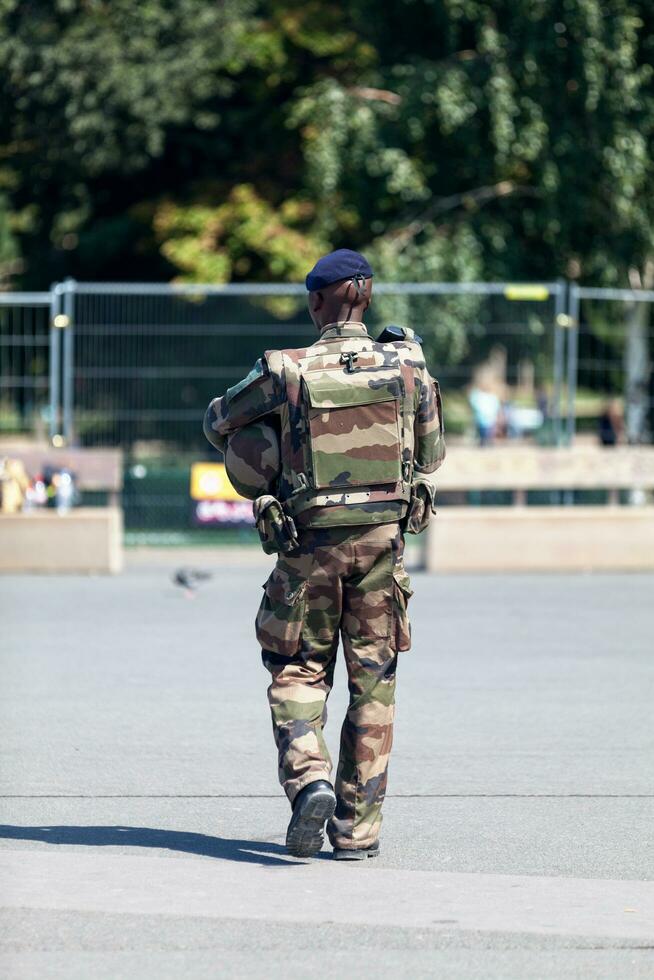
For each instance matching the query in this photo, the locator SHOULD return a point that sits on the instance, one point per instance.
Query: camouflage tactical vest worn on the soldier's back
(347, 425)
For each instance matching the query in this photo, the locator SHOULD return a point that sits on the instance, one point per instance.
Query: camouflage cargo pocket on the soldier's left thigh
(280, 618)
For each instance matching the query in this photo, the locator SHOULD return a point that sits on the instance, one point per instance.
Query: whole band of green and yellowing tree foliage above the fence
(450, 139)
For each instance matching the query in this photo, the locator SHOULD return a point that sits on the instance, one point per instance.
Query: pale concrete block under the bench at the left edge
(87, 539)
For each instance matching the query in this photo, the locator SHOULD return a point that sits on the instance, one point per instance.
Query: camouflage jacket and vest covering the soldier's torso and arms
(357, 418)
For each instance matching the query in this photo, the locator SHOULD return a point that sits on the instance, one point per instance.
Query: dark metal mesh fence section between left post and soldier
(147, 364)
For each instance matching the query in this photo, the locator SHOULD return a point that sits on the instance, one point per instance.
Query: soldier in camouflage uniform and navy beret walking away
(359, 421)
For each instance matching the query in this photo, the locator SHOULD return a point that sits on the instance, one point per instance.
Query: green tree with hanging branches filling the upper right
(527, 124)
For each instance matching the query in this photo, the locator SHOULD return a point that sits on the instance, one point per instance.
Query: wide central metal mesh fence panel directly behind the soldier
(146, 360)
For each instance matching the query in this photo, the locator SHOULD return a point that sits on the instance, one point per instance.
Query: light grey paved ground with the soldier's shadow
(142, 826)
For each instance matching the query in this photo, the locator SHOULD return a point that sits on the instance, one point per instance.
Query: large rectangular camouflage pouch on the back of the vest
(355, 425)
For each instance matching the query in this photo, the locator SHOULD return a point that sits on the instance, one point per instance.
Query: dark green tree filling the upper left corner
(94, 96)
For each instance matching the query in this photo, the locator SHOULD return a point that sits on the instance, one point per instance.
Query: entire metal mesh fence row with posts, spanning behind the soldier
(135, 365)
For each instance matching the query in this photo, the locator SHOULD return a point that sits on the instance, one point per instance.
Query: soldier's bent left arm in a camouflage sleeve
(258, 394)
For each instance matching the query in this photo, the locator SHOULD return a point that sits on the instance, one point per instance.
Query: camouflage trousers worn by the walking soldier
(350, 581)
